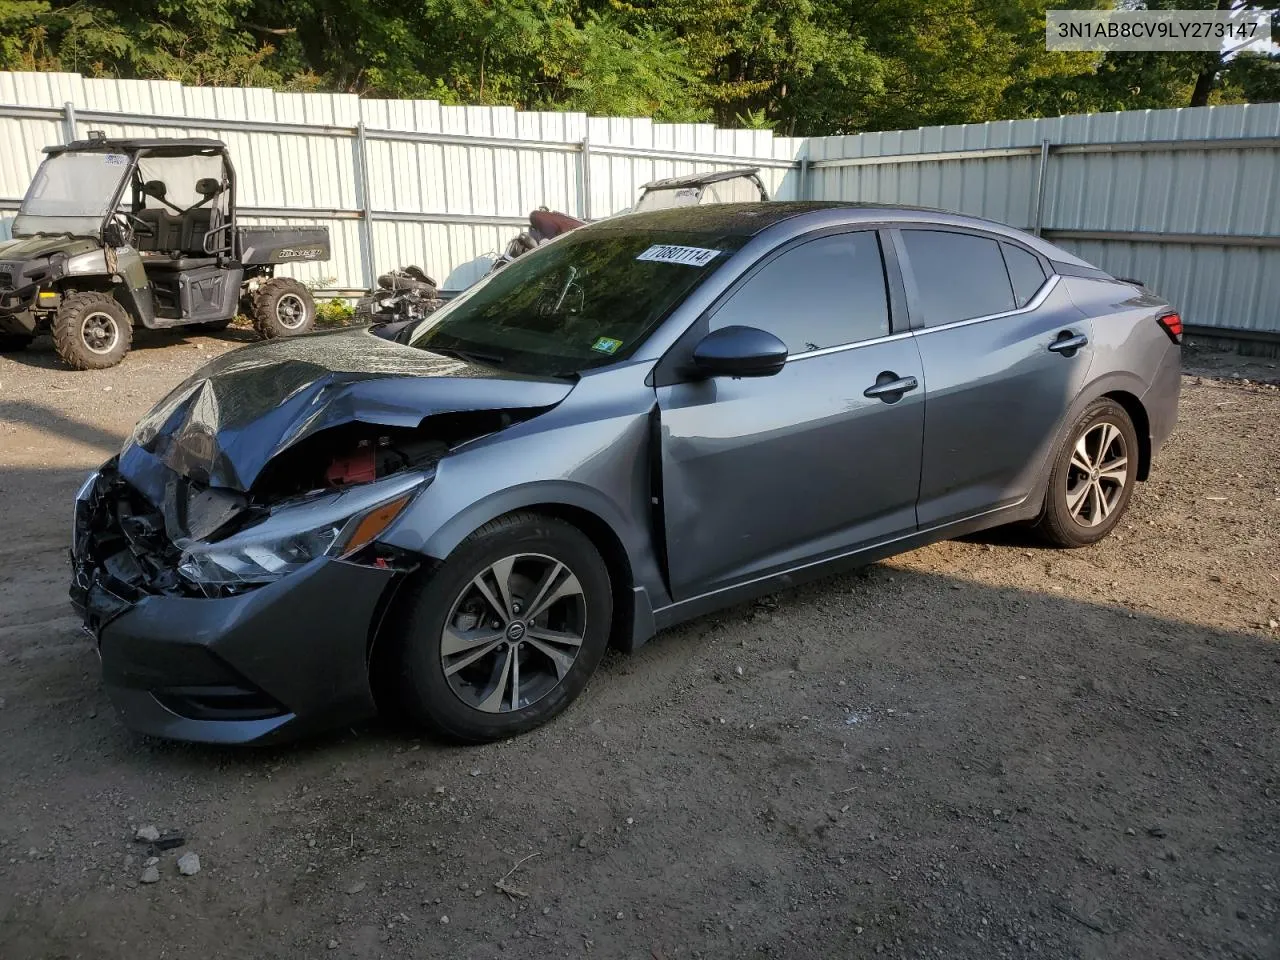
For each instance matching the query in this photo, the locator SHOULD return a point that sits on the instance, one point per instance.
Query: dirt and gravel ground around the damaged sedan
(981, 749)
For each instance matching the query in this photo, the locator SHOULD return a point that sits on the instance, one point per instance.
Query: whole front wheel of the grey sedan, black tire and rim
(468, 698)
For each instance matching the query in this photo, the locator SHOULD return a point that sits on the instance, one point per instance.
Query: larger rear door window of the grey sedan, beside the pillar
(959, 276)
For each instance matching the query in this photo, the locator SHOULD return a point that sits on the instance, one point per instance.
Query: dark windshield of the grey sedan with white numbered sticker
(588, 299)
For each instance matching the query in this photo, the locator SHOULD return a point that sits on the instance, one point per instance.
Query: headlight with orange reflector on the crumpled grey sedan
(299, 532)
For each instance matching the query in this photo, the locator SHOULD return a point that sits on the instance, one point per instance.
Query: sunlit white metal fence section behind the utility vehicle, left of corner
(396, 181)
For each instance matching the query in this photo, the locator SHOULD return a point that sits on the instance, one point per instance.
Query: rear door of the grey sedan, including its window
(1005, 351)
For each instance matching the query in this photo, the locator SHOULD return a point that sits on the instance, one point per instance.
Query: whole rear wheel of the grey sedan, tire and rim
(1090, 487)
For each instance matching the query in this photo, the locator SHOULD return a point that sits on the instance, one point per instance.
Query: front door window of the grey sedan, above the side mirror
(822, 294)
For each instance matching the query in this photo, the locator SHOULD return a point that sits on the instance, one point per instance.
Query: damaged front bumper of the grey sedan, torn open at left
(255, 666)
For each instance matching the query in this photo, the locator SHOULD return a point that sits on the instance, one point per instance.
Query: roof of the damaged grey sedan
(753, 218)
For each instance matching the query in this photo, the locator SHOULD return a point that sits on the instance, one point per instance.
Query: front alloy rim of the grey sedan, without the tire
(514, 633)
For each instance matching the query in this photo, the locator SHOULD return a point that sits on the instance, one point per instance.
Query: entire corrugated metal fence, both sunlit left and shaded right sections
(1185, 200)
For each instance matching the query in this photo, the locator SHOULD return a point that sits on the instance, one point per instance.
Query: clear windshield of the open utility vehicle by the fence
(71, 194)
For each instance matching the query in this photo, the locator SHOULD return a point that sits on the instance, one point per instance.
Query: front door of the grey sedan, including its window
(762, 474)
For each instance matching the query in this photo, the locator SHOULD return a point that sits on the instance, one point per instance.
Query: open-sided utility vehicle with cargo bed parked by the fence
(118, 234)
